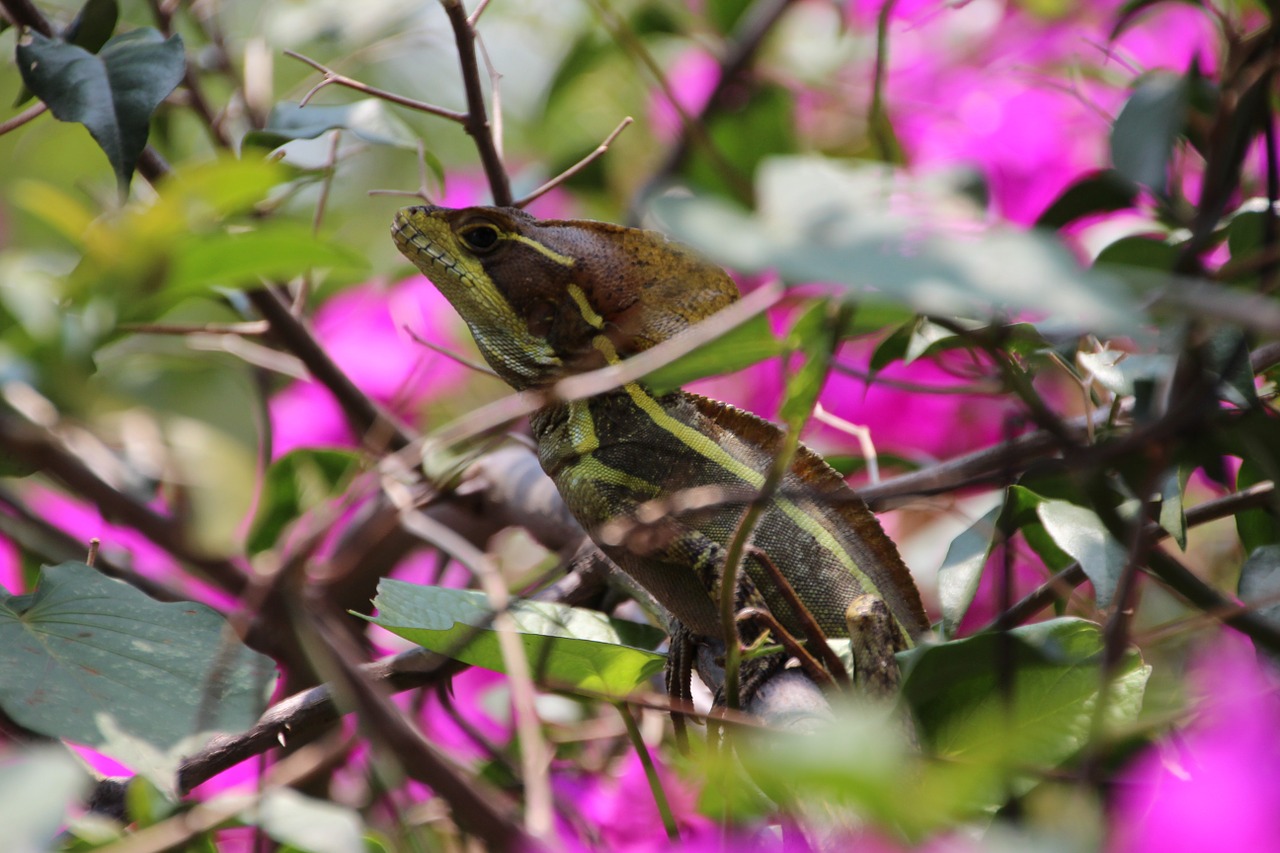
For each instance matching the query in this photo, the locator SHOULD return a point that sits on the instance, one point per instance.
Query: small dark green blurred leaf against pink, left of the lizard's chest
(295, 483)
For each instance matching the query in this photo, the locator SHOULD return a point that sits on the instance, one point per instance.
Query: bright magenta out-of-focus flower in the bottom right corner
(1214, 784)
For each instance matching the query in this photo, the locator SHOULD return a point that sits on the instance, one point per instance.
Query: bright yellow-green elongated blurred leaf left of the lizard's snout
(278, 250)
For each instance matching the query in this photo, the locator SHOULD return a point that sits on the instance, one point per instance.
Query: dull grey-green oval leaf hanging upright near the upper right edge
(1144, 136)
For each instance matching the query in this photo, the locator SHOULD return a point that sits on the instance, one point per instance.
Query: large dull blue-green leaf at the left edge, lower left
(98, 663)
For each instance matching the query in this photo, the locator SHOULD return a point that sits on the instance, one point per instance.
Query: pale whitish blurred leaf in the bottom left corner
(39, 788)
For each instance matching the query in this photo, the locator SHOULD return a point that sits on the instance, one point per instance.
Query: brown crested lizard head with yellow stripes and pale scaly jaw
(547, 299)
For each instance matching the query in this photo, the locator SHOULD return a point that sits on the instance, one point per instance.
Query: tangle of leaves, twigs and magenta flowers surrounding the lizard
(1028, 263)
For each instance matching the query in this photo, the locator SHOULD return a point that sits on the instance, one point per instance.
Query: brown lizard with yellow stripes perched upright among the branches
(550, 299)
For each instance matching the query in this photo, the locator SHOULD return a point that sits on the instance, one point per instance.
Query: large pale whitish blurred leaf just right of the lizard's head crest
(825, 222)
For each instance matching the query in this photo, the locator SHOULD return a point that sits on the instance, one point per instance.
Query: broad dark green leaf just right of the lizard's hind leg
(964, 715)
